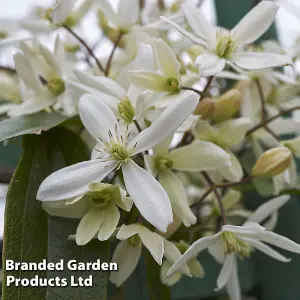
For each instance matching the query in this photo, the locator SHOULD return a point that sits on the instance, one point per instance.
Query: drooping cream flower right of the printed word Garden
(132, 238)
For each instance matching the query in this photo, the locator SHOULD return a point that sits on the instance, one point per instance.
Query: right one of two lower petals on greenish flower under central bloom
(111, 216)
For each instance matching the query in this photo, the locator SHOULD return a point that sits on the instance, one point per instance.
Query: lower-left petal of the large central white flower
(73, 181)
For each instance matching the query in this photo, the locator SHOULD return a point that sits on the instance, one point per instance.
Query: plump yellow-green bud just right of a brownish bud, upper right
(227, 105)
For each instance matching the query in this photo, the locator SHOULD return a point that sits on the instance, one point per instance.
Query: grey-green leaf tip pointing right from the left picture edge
(13, 127)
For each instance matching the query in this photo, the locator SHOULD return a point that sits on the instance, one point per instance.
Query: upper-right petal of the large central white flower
(166, 124)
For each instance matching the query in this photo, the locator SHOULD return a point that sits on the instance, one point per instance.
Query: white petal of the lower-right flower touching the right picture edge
(278, 241)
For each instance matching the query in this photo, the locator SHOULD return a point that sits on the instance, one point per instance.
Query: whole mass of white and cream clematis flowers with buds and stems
(172, 141)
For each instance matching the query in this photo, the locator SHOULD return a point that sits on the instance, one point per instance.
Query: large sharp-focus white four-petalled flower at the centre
(147, 194)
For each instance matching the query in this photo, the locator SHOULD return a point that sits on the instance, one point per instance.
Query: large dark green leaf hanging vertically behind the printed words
(26, 224)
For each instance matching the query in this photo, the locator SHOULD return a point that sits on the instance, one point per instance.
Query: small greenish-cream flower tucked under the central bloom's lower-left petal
(103, 217)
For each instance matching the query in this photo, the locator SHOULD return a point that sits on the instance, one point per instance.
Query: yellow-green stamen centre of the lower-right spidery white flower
(231, 243)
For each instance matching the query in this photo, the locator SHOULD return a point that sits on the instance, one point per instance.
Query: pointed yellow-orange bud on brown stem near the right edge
(272, 162)
